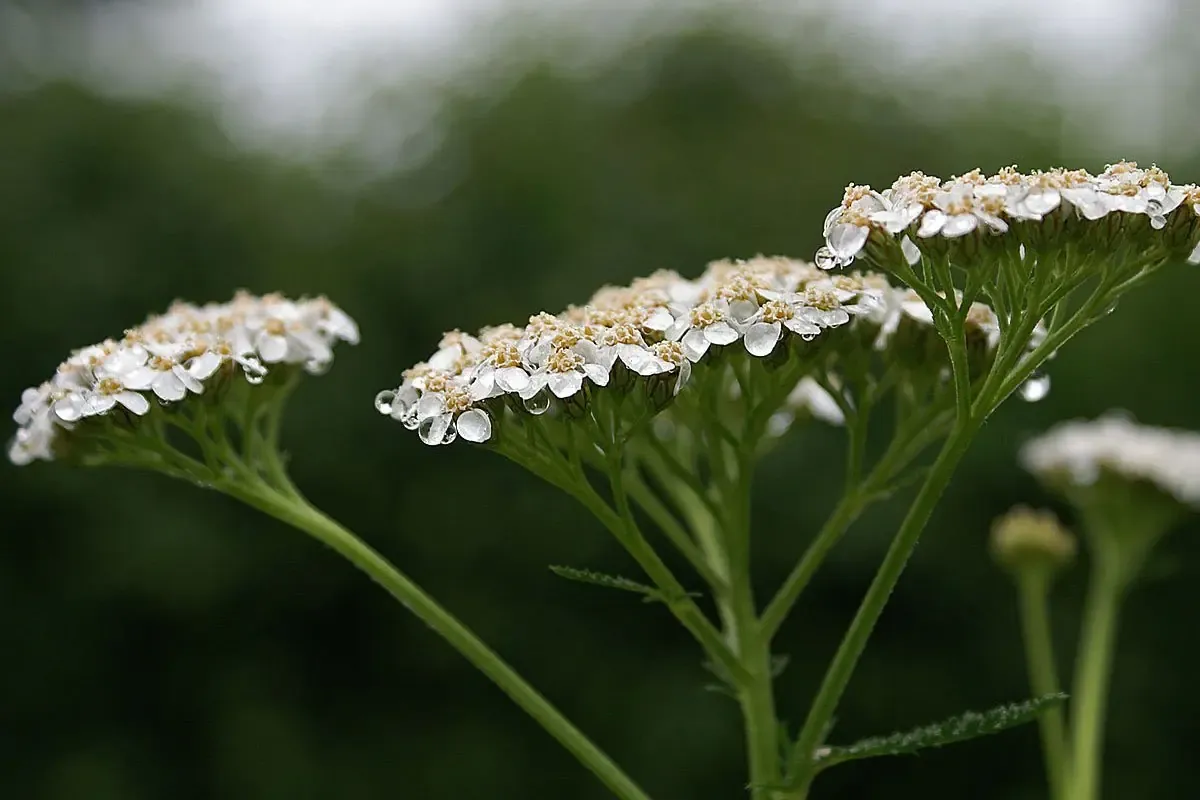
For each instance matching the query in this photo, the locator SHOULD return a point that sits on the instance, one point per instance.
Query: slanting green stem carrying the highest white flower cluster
(801, 765)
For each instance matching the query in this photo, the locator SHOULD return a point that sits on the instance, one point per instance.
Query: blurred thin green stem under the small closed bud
(1034, 594)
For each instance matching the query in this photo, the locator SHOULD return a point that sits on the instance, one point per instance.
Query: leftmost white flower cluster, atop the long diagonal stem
(173, 356)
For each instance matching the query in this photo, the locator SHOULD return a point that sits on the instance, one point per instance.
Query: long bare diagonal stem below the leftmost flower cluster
(303, 516)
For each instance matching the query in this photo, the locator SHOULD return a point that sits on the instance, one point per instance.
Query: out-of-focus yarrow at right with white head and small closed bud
(1130, 485)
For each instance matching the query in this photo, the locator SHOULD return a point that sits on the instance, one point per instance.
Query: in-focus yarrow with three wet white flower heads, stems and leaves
(652, 405)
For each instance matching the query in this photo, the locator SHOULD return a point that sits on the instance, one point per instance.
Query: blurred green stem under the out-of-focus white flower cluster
(1094, 671)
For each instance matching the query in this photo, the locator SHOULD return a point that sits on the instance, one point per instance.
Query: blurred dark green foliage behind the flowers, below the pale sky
(159, 642)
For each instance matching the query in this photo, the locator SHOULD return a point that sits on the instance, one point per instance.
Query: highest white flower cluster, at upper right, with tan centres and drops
(926, 207)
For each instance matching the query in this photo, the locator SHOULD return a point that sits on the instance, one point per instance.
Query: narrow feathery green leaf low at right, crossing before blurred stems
(971, 725)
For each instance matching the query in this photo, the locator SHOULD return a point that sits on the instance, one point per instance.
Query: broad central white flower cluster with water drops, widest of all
(656, 329)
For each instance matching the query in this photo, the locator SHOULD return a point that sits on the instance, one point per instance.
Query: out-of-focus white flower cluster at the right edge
(1081, 452)
